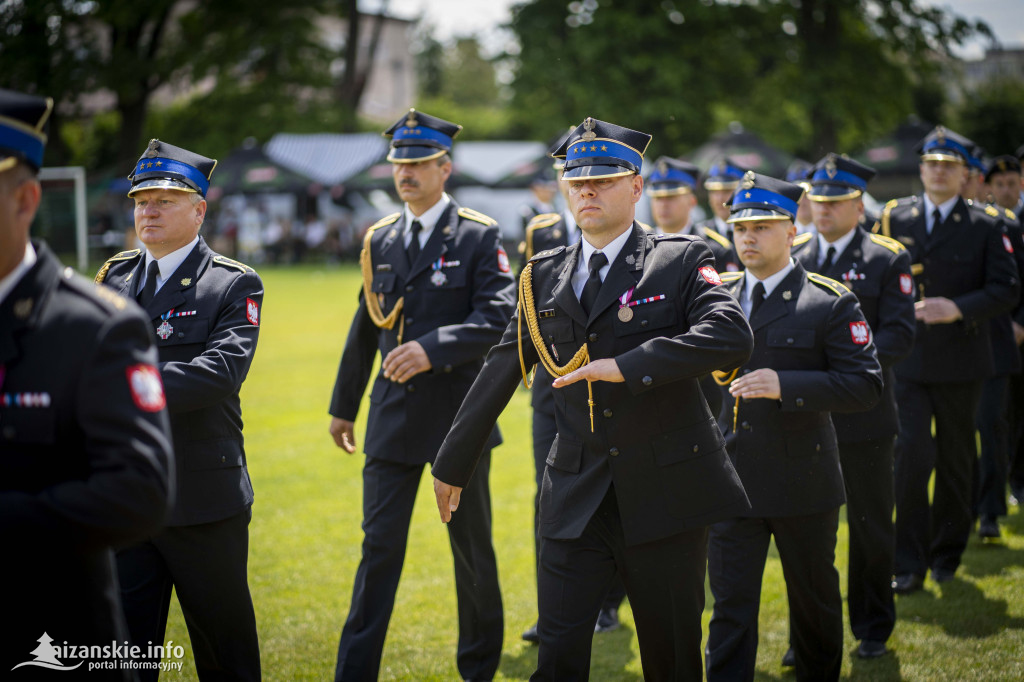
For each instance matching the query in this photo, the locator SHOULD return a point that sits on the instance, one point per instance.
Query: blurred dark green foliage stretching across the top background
(810, 76)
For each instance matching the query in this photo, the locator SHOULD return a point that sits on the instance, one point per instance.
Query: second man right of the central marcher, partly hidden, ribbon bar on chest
(877, 269)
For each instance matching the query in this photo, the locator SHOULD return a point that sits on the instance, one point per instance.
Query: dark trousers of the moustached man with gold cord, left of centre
(389, 497)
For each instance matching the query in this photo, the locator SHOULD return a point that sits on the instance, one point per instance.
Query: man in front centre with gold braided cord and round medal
(627, 321)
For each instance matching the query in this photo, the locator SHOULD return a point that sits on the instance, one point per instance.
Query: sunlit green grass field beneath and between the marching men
(306, 539)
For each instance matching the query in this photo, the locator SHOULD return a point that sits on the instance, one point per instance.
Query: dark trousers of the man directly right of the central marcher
(738, 550)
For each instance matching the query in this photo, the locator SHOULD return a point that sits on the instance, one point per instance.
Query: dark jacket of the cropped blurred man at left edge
(82, 470)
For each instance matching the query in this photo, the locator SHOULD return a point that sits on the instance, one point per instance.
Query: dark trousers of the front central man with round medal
(665, 584)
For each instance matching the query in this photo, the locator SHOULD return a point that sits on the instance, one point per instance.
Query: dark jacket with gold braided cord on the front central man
(654, 436)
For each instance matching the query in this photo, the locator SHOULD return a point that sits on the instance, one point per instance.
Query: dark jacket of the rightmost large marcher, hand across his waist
(965, 260)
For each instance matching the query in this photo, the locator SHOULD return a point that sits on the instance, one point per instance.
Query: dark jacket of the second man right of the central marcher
(877, 270)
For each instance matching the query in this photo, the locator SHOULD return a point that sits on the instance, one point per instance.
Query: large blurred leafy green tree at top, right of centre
(809, 75)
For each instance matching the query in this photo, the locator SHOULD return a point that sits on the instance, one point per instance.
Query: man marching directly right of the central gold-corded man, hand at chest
(813, 355)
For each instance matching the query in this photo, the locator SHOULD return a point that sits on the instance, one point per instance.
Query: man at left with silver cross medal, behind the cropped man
(205, 311)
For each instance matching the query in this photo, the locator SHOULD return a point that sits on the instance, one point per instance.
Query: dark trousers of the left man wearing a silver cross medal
(206, 565)
